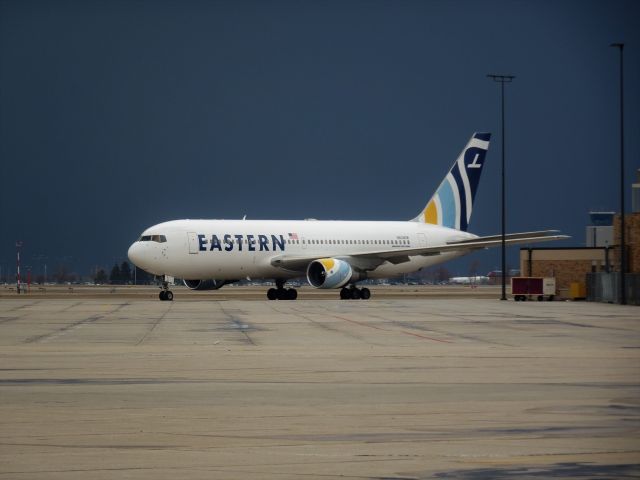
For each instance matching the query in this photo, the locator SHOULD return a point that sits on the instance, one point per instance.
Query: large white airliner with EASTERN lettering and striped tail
(209, 254)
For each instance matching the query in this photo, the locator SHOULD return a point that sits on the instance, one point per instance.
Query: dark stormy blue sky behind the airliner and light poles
(116, 115)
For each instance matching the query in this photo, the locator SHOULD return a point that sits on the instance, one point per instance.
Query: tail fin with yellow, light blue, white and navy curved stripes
(452, 203)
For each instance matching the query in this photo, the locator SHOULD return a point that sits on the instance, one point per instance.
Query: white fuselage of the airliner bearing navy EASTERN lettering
(236, 249)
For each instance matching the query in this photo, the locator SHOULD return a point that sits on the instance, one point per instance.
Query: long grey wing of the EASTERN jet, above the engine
(371, 260)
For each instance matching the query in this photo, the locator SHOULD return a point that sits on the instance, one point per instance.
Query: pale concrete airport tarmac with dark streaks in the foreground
(469, 388)
